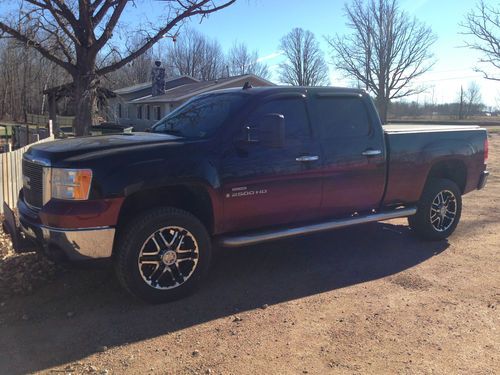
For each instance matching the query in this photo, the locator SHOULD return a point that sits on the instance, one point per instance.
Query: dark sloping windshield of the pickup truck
(201, 116)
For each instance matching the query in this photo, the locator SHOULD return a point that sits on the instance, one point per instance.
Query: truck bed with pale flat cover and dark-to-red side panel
(413, 149)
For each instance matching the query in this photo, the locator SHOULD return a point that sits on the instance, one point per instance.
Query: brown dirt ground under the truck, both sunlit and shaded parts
(369, 299)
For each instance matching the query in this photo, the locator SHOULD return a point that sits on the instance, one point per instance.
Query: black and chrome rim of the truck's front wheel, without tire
(168, 258)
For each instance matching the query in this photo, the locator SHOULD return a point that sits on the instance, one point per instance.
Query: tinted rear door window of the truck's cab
(342, 117)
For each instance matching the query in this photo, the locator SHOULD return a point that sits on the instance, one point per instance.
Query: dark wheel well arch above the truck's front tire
(192, 199)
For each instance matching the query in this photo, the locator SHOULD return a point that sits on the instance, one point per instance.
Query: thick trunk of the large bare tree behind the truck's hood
(85, 103)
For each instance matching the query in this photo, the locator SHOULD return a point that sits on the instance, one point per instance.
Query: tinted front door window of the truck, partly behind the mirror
(294, 111)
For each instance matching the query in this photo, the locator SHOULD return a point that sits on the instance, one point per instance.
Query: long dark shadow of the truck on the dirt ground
(240, 280)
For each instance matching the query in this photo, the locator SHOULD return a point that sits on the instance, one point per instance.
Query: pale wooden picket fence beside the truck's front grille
(12, 175)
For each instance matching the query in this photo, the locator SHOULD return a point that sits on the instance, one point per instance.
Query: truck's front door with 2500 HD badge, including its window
(265, 186)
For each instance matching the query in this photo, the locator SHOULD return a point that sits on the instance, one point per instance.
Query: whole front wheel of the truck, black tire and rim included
(162, 255)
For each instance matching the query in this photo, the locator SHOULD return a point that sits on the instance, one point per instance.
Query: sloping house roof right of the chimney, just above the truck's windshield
(191, 89)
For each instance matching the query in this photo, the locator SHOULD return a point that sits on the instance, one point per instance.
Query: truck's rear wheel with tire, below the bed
(438, 211)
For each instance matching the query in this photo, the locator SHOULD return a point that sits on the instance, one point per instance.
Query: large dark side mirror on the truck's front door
(269, 131)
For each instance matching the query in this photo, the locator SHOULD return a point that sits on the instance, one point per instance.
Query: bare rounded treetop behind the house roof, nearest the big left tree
(195, 55)
